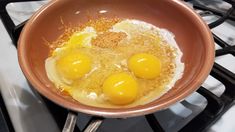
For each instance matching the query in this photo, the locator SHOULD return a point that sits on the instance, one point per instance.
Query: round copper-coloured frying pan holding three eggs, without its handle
(191, 33)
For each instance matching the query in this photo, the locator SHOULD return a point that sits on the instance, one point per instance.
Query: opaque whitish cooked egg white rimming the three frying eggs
(131, 28)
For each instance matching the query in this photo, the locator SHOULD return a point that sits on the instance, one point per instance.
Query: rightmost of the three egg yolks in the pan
(144, 65)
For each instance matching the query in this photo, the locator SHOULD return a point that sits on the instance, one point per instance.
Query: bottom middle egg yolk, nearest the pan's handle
(120, 89)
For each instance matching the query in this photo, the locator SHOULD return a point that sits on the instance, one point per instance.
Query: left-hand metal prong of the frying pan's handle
(70, 122)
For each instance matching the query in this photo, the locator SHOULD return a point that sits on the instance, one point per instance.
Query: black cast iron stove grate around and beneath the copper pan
(216, 106)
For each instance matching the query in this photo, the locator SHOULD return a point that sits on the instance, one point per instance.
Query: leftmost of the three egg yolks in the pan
(73, 66)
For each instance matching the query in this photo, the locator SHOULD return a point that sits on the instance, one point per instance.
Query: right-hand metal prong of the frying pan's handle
(94, 124)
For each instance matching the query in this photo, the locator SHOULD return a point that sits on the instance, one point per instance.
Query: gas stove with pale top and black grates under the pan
(211, 108)
